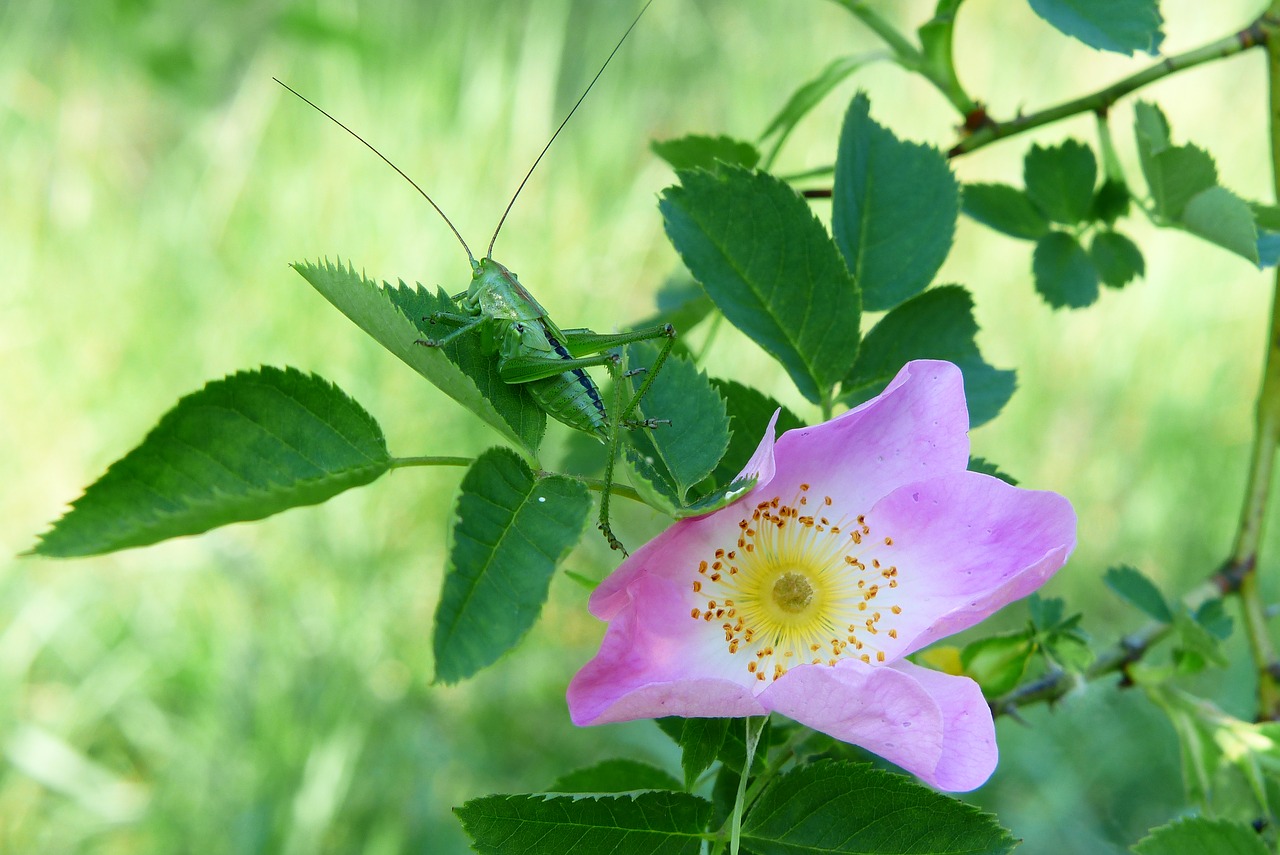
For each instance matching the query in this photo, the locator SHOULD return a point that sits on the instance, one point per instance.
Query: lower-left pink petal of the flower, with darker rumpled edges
(657, 661)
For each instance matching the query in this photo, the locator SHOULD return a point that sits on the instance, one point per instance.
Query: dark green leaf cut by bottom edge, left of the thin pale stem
(648, 824)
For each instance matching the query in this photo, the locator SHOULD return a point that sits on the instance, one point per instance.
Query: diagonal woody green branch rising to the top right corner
(1251, 36)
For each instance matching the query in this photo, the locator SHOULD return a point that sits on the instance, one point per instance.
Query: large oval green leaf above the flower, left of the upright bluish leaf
(767, 263)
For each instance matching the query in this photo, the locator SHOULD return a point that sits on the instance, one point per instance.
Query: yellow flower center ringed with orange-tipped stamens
(799, 589)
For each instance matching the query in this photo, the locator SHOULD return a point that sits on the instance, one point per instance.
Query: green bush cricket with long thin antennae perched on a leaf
(528, 345)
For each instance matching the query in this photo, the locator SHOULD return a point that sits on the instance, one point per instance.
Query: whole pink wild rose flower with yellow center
(865, 541)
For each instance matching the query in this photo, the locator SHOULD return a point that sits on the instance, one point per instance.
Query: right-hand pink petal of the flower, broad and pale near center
(966, 545)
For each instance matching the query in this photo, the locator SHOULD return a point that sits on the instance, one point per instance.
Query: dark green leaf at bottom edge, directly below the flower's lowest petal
(833, 807)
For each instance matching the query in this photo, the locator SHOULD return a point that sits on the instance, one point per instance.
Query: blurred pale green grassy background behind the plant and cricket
(267, 688)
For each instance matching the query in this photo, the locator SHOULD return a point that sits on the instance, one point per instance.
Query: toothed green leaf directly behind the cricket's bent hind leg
(688, 450)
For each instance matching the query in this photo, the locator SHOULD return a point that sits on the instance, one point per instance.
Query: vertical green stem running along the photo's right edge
(1245, 552)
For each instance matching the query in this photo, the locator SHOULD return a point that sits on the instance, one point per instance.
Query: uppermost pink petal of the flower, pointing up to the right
(913, 431)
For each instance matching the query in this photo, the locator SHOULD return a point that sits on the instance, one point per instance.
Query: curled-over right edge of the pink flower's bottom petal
(970, 752)
